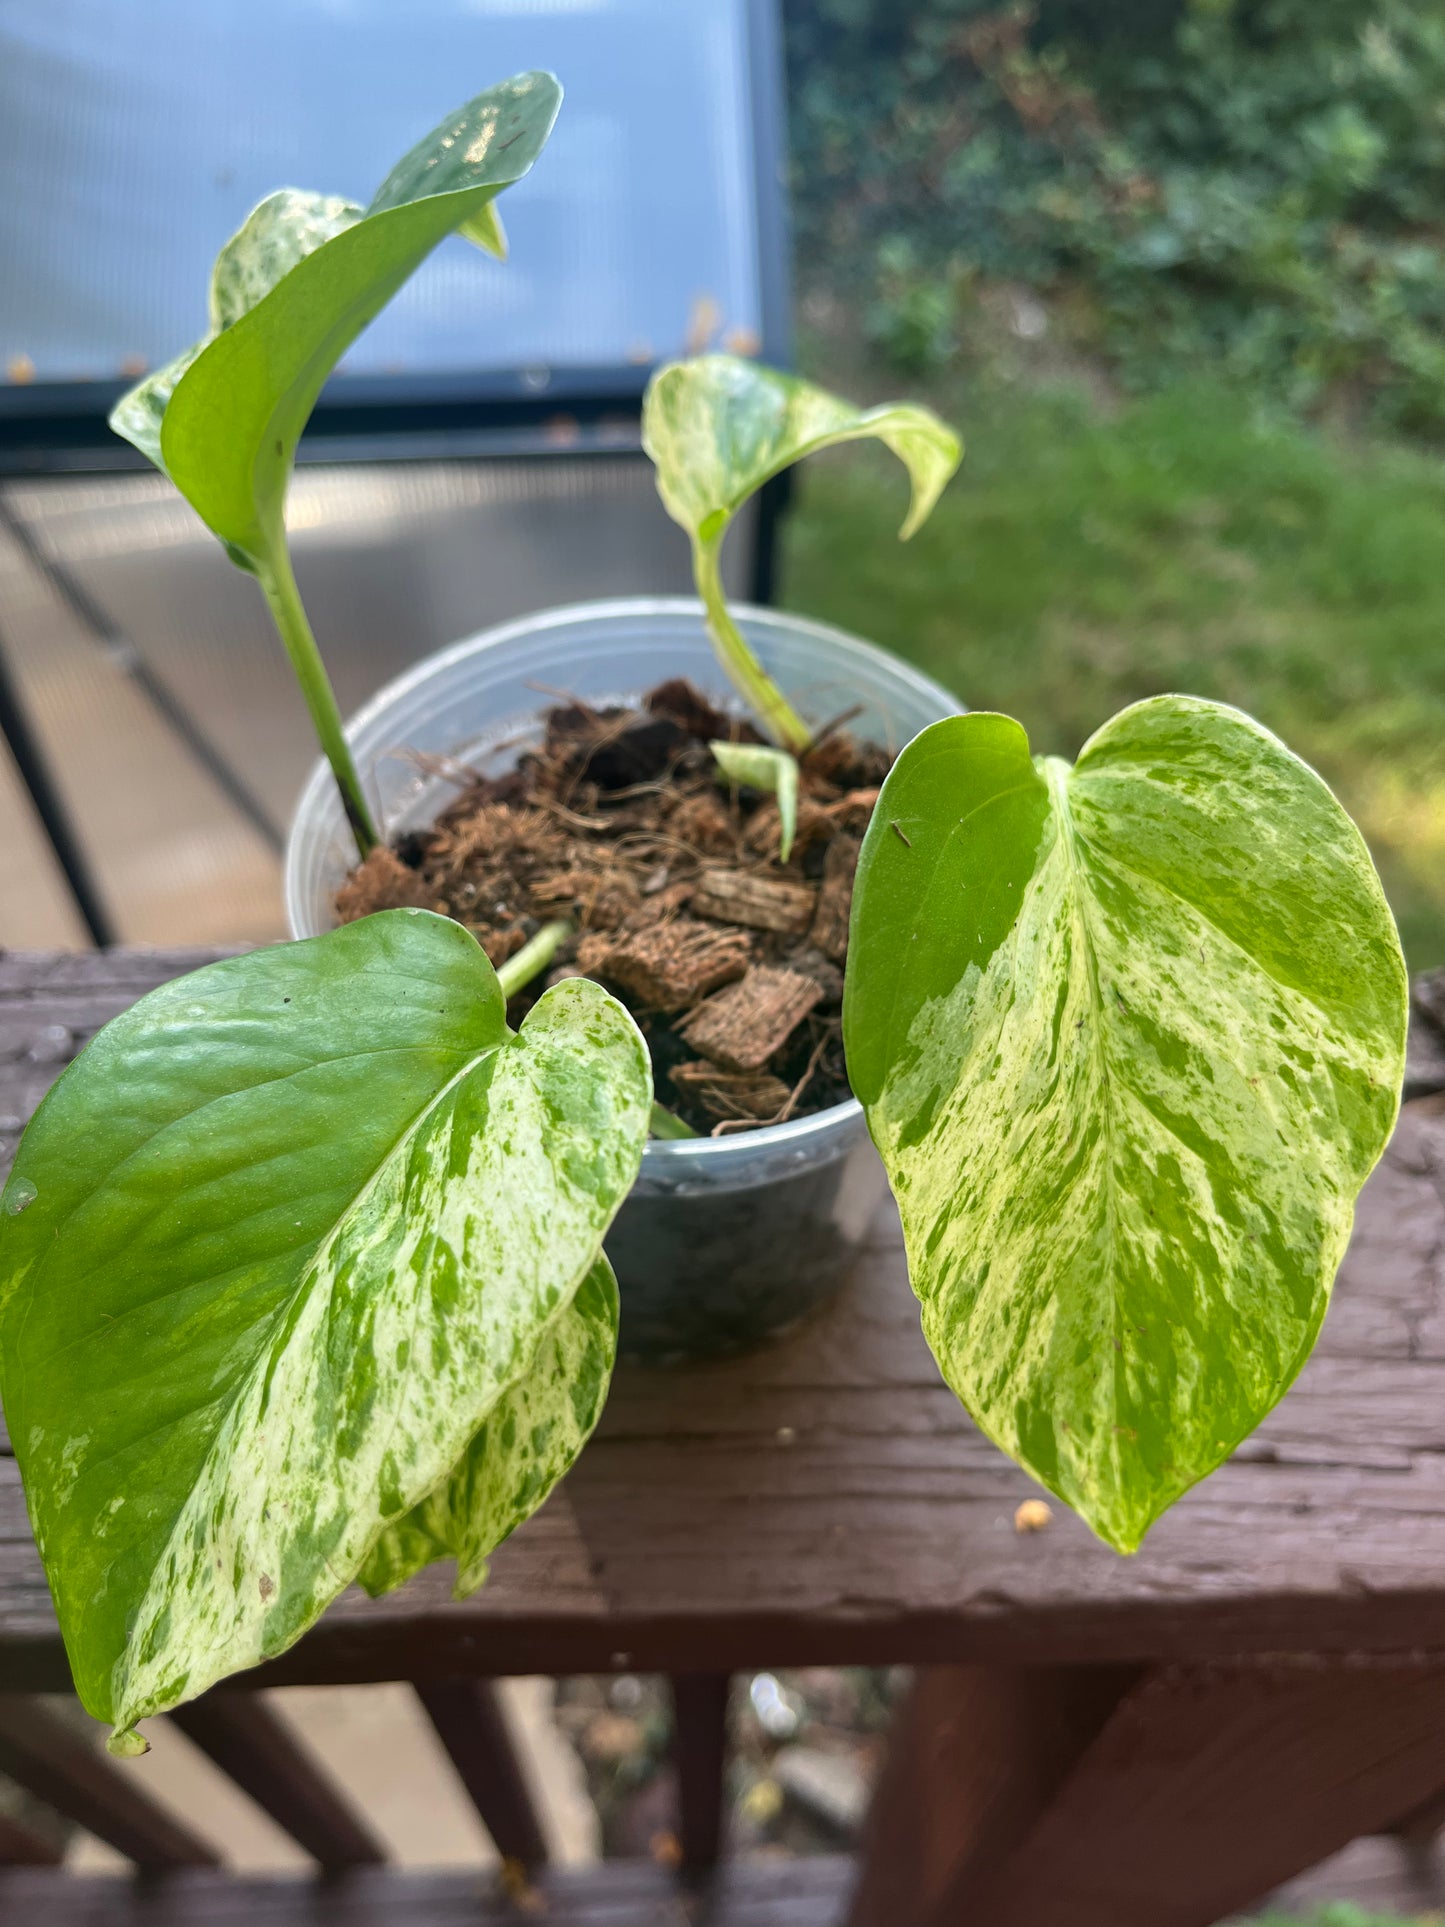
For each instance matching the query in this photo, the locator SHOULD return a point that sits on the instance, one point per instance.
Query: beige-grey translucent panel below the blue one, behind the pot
(394, 562)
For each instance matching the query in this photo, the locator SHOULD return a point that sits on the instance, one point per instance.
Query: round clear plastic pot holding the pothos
(723, 1242)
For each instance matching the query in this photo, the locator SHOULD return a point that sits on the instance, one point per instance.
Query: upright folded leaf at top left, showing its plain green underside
(292, 292)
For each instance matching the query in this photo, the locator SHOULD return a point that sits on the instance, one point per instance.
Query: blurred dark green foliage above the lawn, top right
(1249, 184)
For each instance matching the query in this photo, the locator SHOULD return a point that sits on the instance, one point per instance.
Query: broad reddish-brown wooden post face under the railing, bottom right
(1209, 1787)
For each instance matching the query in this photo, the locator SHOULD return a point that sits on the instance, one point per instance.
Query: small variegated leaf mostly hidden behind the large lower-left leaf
(531, 1440)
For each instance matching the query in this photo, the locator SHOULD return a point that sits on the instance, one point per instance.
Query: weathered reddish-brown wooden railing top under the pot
(828, 1502)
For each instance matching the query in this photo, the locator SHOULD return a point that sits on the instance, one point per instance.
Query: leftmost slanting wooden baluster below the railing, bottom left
(43, 1756)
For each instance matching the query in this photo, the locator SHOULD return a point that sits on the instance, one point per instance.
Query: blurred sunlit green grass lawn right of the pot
(1082, 562)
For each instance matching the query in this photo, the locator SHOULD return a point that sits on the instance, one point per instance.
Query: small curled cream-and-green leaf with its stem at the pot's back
(718, 429)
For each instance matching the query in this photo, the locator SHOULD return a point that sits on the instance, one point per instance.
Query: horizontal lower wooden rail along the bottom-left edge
(804, 1893)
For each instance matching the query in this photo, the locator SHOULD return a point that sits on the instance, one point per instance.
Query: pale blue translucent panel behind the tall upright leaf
(136, 138)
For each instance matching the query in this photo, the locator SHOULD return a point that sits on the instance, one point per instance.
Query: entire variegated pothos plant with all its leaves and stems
(302, 1273)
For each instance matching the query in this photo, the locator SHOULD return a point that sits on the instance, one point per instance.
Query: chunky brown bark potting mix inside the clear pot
(729, 959)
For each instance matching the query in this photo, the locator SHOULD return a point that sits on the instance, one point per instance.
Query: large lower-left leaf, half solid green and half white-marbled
(275, 1252)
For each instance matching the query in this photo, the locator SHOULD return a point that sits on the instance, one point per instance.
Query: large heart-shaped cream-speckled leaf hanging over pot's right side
(1130, 1038)
